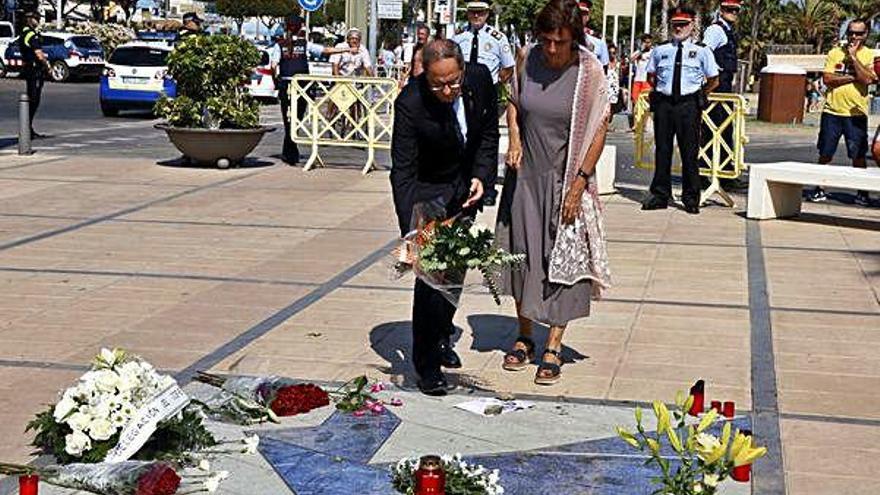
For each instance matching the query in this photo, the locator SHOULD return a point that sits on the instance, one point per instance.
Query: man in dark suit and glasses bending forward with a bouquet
(445, 145)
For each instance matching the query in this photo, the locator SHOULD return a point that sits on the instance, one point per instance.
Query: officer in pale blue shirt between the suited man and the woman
(483, 44)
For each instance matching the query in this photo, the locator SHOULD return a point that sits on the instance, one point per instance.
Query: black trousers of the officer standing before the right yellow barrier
(677, 118)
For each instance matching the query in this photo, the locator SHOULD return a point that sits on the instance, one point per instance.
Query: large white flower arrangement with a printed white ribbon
(121, 408)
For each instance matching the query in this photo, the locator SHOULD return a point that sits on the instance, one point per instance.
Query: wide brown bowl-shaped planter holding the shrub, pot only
(223, 147)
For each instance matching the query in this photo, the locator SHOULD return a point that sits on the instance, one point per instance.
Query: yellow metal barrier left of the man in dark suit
(354, 112)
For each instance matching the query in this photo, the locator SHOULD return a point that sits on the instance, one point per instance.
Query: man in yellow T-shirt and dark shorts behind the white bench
(848, 72)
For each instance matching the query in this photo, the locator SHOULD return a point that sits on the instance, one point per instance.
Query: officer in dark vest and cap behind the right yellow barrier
(721, 38)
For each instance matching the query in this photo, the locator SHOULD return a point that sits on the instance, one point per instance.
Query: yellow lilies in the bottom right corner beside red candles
(704, 459)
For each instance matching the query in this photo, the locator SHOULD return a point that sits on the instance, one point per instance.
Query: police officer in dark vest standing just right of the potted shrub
(295, 50)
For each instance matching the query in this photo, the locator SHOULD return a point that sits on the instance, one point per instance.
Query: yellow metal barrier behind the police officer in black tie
(726, 160)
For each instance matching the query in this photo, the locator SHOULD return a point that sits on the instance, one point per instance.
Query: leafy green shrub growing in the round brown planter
(211, 73)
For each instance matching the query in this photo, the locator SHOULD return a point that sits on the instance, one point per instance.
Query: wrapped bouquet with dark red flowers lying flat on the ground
(248, 400)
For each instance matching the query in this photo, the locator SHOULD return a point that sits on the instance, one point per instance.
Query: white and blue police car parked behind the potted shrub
(135, 77)
